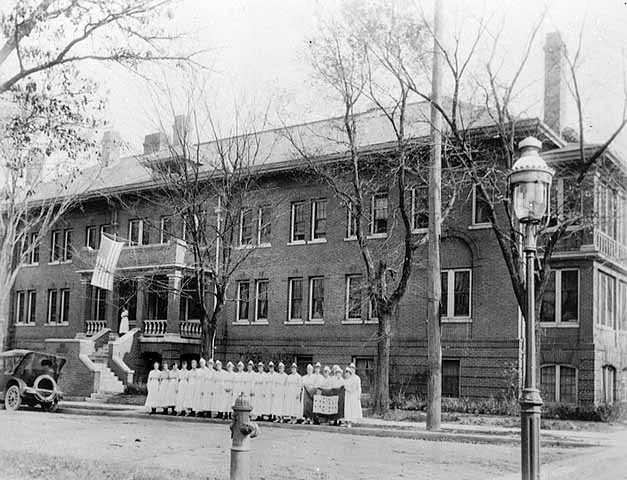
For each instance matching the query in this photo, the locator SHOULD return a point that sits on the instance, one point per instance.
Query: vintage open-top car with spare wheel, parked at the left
(30, 378)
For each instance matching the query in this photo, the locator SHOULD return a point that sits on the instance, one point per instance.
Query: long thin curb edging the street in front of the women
(441, 436)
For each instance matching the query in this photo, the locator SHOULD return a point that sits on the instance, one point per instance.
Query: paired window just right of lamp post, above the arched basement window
(561, 298)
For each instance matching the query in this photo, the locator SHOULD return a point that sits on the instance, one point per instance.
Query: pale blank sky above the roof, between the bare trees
(256, 55)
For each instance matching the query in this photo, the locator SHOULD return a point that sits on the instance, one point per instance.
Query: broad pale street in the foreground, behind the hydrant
(35, 445)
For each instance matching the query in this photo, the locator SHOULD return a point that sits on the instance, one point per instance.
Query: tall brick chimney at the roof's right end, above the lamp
(554, 85)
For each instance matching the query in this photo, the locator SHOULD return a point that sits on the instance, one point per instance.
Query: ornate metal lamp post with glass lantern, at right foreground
(530, 181)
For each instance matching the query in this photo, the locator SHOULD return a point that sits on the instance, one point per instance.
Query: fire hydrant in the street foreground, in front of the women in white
(242, 430)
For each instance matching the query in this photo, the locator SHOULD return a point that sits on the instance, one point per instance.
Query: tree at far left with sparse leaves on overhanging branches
(50, 108)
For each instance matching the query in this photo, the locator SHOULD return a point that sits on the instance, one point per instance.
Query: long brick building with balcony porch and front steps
(295, 296)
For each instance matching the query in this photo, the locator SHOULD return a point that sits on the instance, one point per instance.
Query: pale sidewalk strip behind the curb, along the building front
(450, 432)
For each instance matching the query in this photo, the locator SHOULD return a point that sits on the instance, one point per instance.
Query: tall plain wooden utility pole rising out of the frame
(434, 287)
